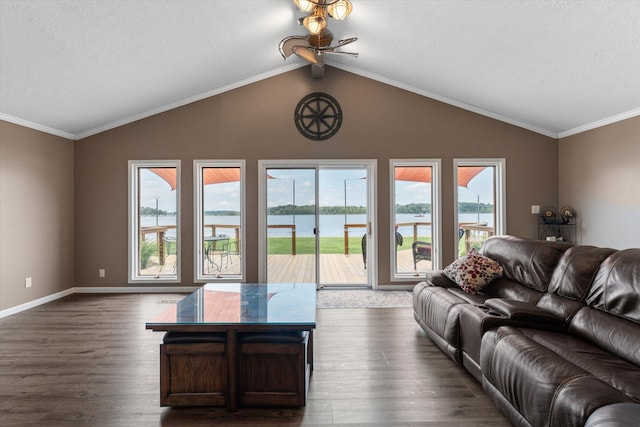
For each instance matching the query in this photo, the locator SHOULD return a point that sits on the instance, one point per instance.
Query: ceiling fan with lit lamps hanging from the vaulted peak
(315, 45)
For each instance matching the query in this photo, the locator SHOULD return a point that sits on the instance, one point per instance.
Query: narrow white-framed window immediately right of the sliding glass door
(415, 217)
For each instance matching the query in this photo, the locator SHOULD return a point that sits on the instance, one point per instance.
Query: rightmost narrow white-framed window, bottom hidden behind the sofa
(480, 204)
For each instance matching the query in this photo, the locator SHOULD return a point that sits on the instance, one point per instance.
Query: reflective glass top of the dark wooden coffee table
(244, 304)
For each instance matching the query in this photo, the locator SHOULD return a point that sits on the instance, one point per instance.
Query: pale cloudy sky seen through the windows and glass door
(333, 183)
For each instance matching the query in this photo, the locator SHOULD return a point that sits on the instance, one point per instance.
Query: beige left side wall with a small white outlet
(36, 214)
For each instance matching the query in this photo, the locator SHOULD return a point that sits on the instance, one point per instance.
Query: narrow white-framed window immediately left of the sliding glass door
(220, 223)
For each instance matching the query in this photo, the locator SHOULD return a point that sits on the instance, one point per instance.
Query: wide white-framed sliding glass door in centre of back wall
(317, 222)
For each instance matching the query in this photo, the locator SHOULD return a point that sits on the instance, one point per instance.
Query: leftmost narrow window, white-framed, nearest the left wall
(154, 218)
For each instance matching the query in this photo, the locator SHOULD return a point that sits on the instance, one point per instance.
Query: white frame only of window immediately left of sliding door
(198, 166)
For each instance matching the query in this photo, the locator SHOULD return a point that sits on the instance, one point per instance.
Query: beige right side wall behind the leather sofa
(600, 178)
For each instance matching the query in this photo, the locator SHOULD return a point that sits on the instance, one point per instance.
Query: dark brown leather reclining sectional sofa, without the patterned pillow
(555, 340)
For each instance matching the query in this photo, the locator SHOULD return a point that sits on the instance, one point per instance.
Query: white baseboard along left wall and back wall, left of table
(98, 290)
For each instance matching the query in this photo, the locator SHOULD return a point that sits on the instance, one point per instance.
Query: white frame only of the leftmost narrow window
(133, 221)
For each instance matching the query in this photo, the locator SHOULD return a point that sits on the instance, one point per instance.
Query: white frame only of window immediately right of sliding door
(436, 215)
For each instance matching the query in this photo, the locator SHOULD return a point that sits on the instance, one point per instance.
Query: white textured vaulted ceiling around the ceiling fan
(75, 68)
